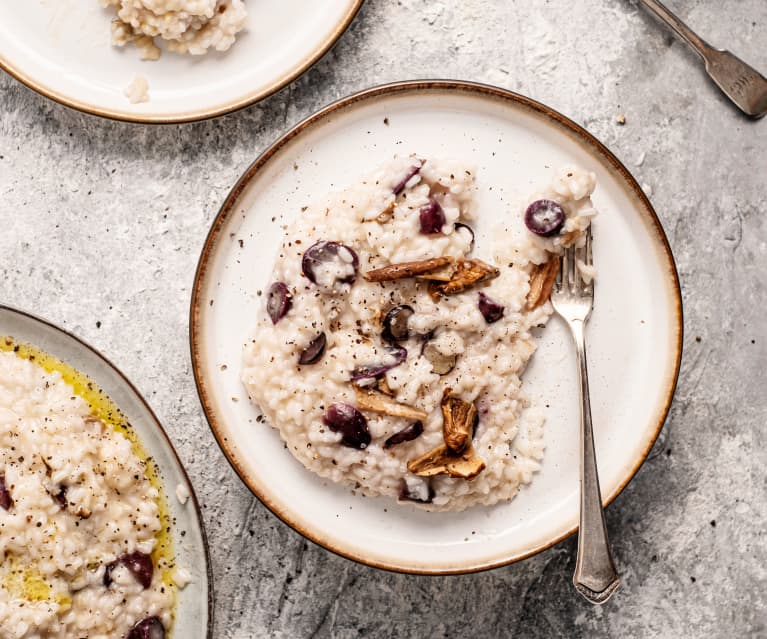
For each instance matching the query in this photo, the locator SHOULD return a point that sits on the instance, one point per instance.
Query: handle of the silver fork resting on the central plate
(595, 575)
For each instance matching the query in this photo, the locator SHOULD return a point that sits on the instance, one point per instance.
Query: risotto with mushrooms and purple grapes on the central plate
(389, 350)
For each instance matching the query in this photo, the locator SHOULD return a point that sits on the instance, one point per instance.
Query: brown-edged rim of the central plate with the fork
(387, 90)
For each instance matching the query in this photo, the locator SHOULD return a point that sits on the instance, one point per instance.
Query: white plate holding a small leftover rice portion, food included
(163, 61)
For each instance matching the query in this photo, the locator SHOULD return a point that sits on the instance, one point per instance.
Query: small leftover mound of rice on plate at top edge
(186, 26)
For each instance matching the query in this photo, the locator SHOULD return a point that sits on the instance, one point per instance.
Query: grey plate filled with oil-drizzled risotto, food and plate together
(100, 534)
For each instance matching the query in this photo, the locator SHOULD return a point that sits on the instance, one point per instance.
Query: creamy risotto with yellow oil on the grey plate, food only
(75, 499)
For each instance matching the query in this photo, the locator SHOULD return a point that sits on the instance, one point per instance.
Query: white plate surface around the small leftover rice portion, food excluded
(61, 48)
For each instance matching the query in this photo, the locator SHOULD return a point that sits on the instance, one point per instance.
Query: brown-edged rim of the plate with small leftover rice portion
(197, 115)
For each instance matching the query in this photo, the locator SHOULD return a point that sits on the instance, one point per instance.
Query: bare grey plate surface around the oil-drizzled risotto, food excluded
(194, 611)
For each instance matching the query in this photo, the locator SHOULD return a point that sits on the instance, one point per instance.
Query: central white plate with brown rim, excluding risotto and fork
(634, 334)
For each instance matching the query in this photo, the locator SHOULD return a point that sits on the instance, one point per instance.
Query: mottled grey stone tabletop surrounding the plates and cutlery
(103, 222)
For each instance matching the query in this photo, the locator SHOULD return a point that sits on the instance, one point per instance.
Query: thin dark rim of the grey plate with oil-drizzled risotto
(193, 495)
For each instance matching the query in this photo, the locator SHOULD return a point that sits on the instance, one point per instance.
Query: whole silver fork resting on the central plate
(595, 575)
